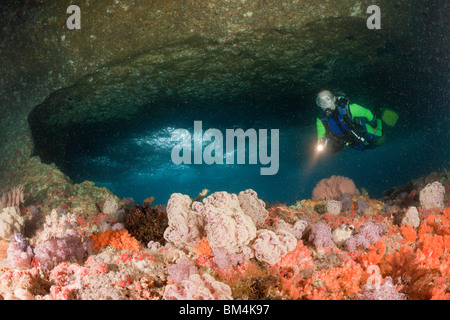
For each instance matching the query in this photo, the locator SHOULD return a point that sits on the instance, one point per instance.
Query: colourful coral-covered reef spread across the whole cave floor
(231, 246)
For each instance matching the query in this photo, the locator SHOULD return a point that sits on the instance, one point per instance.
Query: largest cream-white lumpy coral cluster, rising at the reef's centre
(220, 217)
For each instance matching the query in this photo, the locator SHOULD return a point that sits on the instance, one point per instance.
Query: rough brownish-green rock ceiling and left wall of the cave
(131, 56)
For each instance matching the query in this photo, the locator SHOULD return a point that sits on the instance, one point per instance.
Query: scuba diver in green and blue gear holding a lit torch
(343, 123)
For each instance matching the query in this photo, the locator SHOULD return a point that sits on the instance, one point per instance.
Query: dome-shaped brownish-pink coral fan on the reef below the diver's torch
(333, 187)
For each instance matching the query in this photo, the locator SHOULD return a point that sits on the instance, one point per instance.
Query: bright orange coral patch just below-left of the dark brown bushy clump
(118, 239)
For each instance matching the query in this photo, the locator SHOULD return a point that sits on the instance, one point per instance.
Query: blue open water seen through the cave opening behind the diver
(135, 160)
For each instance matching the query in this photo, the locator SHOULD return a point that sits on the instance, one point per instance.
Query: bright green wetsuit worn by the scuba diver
(358, 114)
